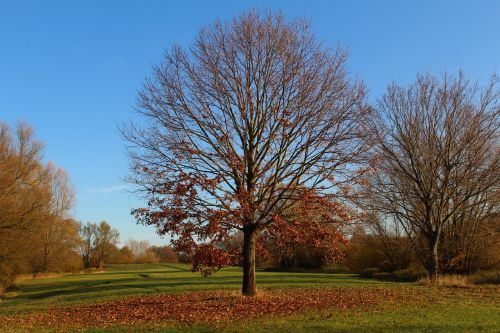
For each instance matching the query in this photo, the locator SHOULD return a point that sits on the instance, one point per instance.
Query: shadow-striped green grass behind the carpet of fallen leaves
(129, 280)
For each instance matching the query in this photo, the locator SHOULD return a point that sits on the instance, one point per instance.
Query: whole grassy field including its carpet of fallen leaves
(168, 297)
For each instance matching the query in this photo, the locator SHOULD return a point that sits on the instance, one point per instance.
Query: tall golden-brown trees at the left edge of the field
(34, 202)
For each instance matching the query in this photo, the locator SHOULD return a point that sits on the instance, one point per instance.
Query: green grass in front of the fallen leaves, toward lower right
(440, 317)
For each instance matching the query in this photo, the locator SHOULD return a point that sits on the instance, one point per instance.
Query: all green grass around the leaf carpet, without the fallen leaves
(437, 310)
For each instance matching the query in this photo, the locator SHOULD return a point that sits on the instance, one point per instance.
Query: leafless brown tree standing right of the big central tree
(437, 161)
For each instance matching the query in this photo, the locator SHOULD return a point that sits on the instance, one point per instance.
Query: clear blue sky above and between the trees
(72, 69)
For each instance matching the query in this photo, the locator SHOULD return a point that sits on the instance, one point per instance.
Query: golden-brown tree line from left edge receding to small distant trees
(37, 233)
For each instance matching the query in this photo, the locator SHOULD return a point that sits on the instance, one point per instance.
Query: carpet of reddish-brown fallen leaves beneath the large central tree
(203, 306)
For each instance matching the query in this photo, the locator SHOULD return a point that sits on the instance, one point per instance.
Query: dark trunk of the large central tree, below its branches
(249, 237)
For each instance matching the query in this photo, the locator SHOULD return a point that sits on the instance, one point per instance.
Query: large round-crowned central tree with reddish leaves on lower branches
(243, 123)
